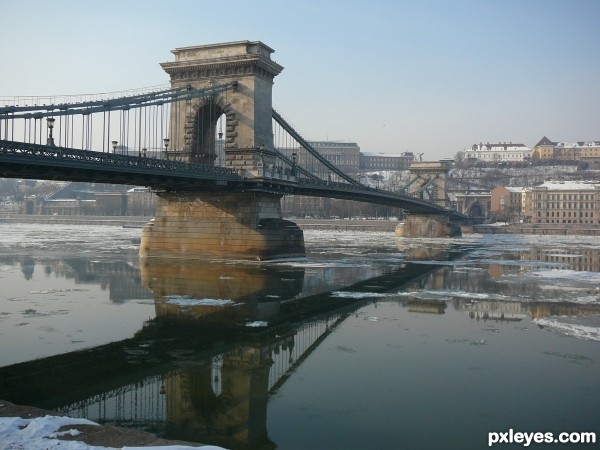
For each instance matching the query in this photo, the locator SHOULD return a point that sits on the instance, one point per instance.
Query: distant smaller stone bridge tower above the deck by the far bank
(428, 180)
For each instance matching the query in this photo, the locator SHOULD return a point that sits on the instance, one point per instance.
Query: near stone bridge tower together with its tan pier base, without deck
(223, 224)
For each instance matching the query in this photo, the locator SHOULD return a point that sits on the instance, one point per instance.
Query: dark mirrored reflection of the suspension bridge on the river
(191, 376)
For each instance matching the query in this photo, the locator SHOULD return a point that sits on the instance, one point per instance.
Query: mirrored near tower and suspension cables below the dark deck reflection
(217, 396)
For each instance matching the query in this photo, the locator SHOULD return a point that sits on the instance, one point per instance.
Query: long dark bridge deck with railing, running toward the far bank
(35, 161)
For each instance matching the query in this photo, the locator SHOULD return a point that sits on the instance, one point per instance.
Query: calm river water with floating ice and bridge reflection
(371, 341)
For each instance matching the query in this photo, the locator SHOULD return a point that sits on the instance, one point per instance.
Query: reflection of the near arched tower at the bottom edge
(226, 400)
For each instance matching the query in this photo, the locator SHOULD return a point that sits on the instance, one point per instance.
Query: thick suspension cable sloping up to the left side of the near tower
(122, 103)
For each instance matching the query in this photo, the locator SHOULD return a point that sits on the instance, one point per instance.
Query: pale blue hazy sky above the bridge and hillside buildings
(431, 77)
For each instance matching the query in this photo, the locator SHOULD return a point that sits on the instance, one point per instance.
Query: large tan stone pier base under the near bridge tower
(220, 226)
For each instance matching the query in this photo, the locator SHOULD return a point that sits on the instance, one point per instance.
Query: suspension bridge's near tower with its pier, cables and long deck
(211, 144)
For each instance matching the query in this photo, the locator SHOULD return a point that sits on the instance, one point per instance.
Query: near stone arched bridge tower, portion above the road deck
(248, 109)
